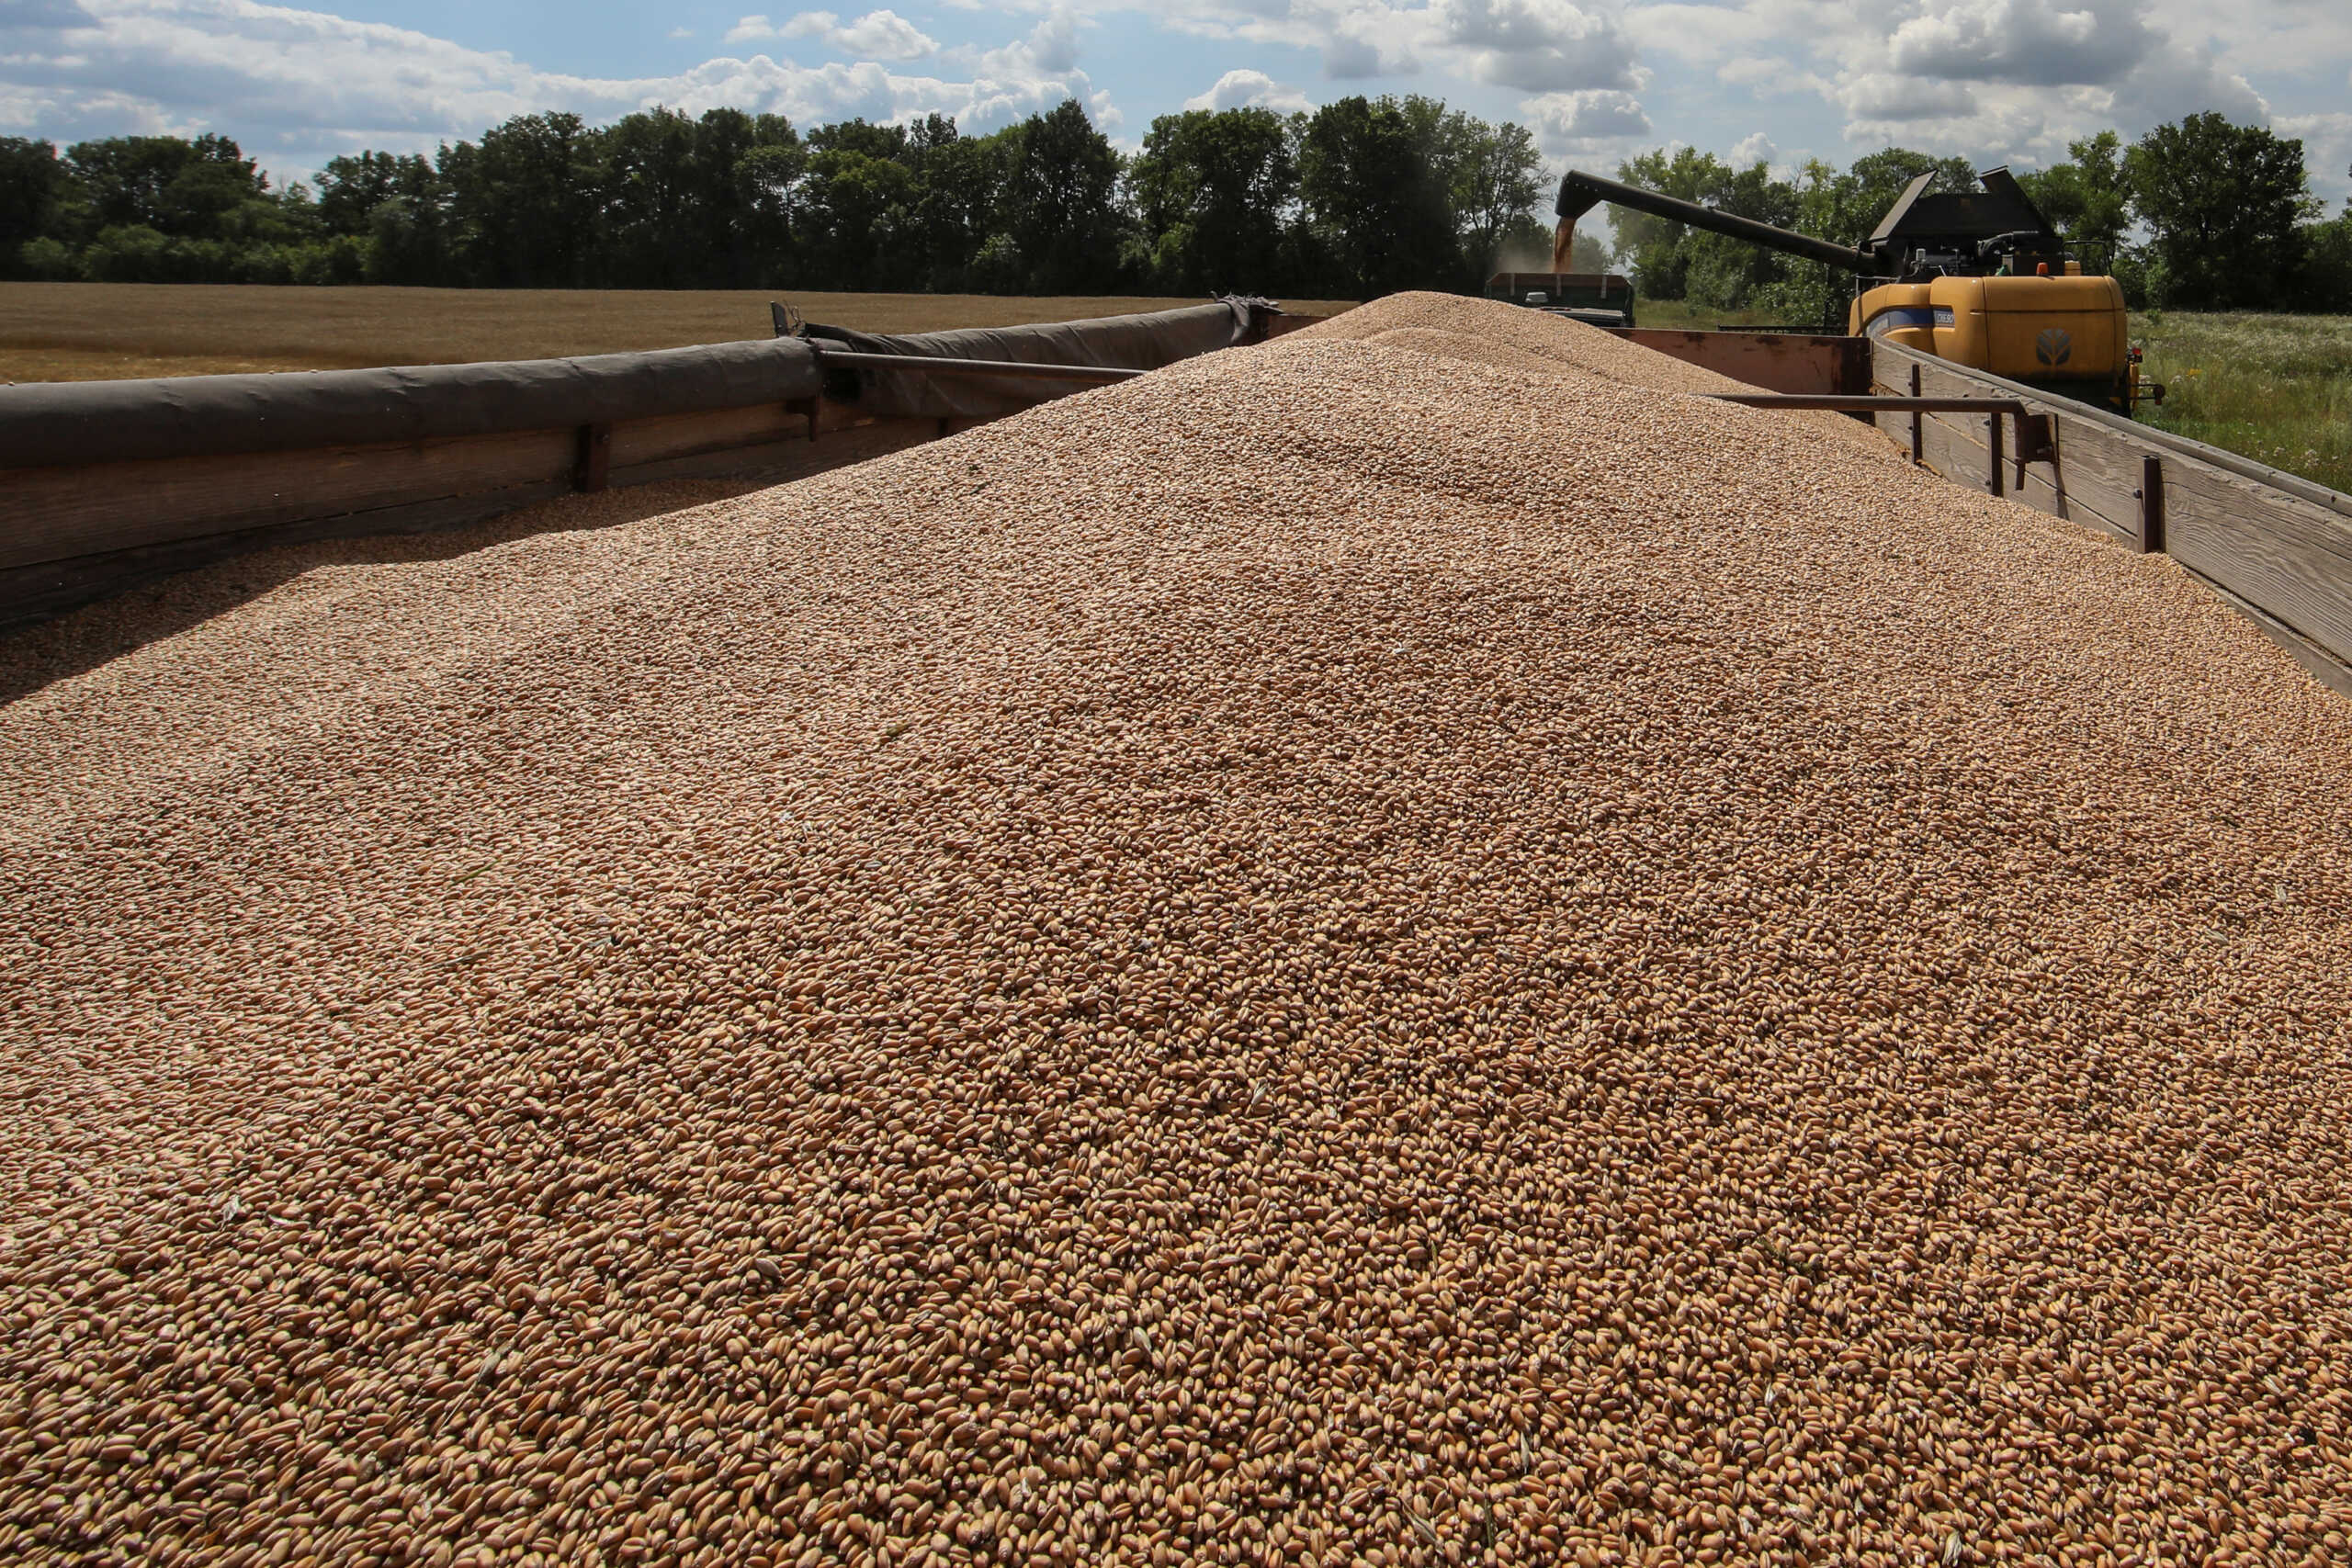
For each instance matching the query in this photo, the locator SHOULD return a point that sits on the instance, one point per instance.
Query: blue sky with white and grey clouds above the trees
(1596, 79)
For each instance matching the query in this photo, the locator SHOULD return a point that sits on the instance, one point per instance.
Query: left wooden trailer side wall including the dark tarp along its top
(413, 450)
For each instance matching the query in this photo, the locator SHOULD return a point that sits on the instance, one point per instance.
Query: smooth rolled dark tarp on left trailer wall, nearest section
(112, 422)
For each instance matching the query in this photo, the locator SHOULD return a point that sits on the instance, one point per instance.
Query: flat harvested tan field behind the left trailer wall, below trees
(114, 330)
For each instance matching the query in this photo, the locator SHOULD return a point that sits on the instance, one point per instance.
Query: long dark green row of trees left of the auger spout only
(1358, 199)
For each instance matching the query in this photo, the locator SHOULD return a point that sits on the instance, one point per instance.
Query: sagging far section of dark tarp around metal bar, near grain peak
(1123, 342)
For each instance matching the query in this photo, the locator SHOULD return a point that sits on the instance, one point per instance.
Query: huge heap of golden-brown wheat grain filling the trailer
(1328, 956)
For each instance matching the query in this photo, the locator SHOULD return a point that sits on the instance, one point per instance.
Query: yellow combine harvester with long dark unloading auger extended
(1979, 281)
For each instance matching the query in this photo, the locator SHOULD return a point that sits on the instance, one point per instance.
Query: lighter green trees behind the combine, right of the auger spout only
(2198, 215)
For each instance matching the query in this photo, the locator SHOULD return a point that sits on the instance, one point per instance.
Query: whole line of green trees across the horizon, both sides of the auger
(1358, 199)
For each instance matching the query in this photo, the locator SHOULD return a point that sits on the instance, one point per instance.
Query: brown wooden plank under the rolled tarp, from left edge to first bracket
(60, 514)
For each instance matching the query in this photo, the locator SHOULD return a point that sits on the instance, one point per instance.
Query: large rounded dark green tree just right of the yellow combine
(2224, 206)
